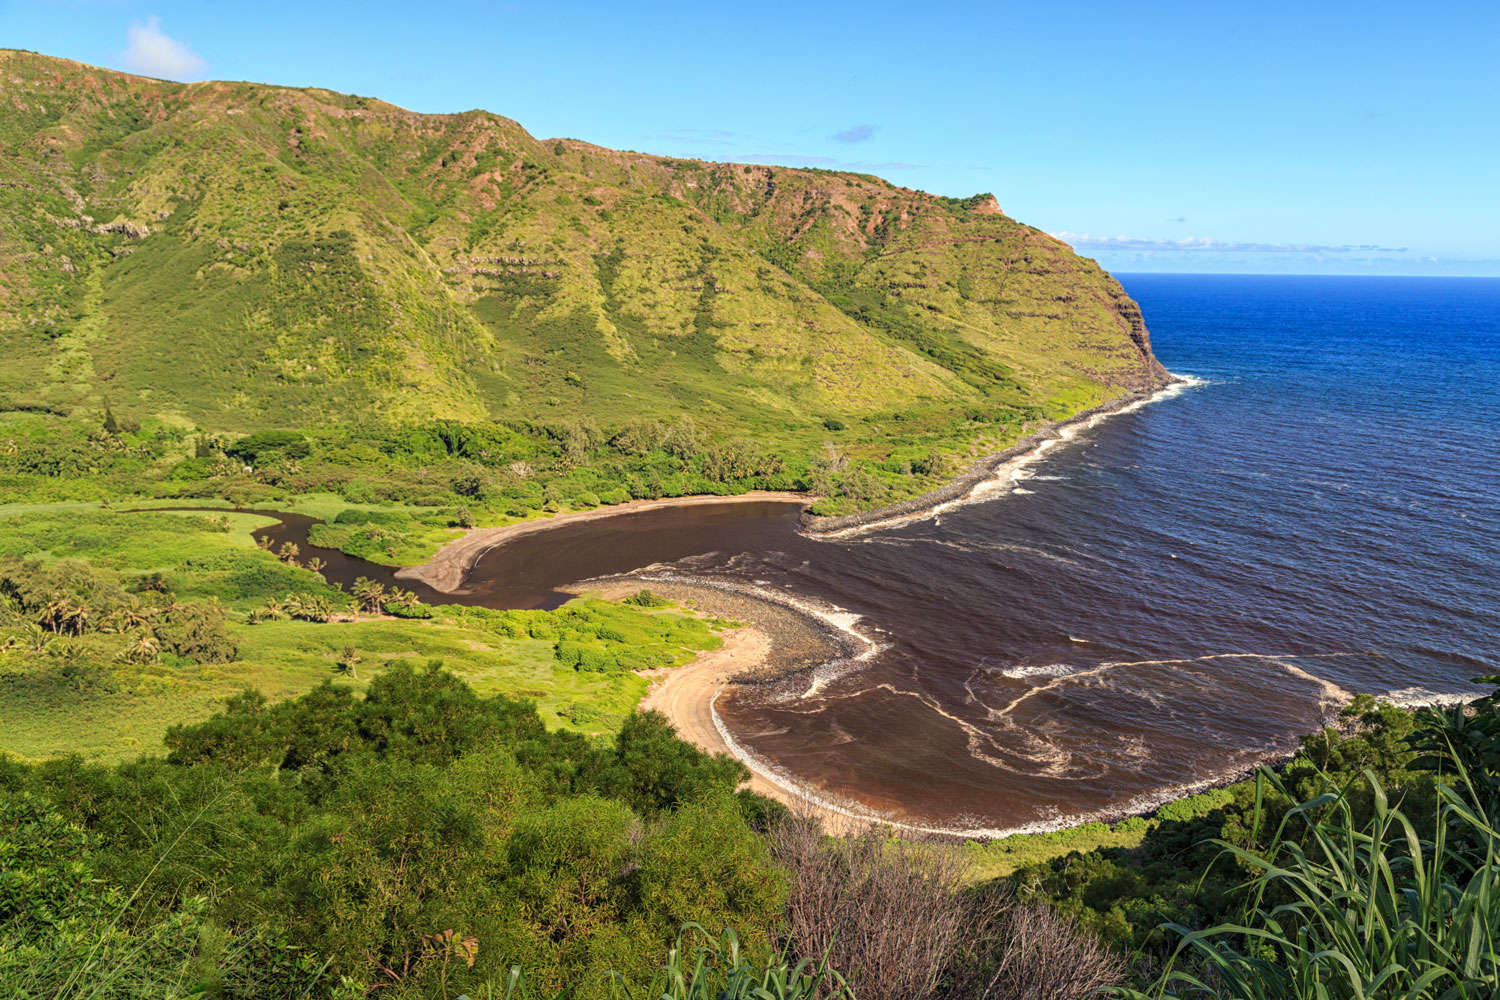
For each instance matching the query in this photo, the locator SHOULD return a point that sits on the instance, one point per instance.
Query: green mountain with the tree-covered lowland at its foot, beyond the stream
(335, 295)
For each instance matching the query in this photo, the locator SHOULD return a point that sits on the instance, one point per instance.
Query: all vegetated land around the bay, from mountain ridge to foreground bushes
(220, 776)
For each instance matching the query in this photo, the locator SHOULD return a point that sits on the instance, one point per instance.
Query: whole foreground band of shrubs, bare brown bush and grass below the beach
(421, 840)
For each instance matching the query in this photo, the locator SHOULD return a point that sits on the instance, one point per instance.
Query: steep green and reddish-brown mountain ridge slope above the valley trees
(242, 256)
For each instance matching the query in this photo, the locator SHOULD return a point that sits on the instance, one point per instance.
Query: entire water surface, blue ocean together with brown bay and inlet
(1168, 599)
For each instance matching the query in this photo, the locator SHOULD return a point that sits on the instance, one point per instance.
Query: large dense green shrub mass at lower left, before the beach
(367, 825)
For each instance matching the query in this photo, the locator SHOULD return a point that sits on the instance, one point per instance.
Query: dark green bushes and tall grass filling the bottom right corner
(1367, 860)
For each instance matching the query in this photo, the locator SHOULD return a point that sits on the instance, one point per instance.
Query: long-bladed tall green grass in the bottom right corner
(1358, 911)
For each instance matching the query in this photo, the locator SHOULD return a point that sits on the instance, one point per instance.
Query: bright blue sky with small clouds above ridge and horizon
(1313, 137)
